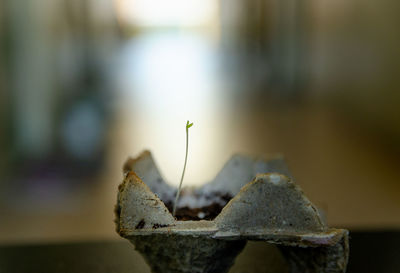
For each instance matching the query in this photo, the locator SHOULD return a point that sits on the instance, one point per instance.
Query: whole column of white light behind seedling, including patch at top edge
(167, 77)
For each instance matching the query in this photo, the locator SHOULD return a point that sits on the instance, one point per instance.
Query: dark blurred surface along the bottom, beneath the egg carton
(369, 252)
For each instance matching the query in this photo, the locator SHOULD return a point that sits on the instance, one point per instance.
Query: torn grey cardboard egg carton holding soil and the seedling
(266, 206)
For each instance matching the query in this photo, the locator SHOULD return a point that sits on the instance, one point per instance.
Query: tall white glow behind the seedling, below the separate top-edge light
(168, 78)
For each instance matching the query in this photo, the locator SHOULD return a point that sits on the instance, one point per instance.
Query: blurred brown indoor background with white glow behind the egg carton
(85, 84)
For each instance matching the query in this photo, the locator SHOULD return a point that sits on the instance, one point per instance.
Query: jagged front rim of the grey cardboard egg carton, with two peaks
(143, 213)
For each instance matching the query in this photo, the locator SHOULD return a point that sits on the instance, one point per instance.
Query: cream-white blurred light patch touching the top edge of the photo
(183, 13)
